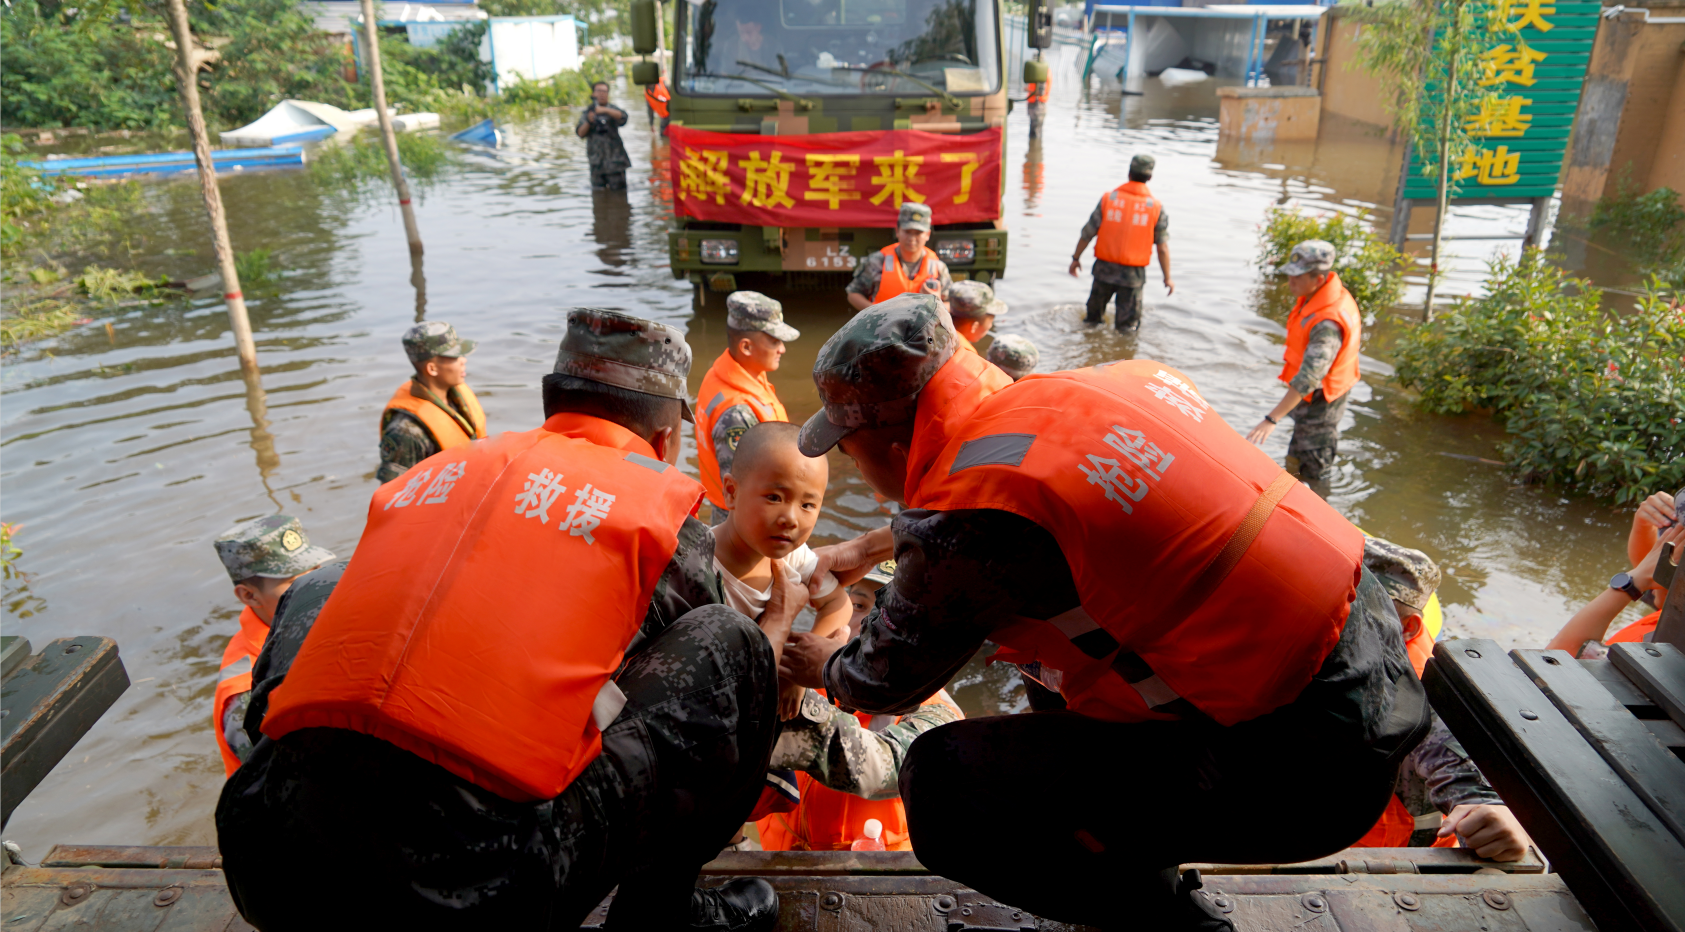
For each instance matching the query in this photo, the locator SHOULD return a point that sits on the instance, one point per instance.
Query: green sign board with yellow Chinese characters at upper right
(1534, 77)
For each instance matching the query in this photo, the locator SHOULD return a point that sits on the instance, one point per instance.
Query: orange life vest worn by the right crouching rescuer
(1241, 579)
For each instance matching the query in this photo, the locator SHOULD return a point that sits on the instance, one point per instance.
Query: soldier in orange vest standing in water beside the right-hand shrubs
(1317, 422)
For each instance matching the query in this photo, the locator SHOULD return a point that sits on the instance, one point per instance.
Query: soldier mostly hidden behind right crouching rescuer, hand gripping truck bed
(1438, 783)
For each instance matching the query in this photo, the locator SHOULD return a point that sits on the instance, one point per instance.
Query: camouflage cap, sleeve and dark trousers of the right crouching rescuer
(1172, 786)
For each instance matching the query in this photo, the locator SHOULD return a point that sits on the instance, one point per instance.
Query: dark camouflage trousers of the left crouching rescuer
(680, 773)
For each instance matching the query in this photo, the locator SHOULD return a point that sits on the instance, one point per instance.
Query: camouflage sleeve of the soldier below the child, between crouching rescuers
(835, 749)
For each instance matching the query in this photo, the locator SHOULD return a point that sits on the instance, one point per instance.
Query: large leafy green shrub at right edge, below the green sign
(1593, 400)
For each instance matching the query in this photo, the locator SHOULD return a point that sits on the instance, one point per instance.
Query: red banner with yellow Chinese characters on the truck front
(835, 179)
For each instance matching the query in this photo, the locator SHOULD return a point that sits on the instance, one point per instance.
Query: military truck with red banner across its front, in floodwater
(800, 129)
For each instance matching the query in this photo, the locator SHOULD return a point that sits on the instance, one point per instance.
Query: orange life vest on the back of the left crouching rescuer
(489, 603)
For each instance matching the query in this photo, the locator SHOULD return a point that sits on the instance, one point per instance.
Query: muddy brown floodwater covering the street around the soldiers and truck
(126, 453)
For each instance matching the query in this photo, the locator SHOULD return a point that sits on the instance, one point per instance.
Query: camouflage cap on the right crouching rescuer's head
(870, 372)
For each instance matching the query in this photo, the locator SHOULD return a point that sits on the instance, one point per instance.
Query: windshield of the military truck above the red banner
(838, 48)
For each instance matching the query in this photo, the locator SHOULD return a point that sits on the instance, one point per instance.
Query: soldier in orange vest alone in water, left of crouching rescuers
(437, 395)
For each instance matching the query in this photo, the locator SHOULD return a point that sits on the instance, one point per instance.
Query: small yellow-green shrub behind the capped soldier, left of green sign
(1369, 267)
